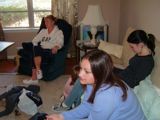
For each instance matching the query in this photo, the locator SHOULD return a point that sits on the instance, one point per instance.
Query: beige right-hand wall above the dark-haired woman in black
(140, 14)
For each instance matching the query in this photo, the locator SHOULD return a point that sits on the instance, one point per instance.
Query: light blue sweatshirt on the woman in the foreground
(108, 105)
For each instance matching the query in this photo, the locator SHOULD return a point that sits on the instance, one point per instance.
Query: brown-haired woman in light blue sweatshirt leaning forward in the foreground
(106, 96)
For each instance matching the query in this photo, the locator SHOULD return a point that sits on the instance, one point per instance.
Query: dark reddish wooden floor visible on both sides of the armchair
(9, 66)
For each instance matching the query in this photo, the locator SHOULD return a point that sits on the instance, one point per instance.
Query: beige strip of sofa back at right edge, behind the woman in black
(155, 75)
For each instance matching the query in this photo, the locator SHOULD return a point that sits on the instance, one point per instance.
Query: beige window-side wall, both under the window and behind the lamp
(111, 12)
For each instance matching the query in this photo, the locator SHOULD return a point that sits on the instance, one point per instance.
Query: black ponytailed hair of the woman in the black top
(139, 36)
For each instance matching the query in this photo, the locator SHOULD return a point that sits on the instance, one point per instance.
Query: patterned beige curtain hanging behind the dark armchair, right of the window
(68, 10)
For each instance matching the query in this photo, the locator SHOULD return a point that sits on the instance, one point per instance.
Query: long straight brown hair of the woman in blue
(102, 69)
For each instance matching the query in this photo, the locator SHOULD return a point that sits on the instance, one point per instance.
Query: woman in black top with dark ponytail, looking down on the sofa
(141, 65)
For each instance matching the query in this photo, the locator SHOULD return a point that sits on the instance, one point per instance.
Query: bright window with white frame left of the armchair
(23, 13)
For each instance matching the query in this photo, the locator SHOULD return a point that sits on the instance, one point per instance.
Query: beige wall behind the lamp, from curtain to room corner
(110, 11)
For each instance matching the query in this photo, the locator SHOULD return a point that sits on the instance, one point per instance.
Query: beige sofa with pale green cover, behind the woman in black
(148, 91)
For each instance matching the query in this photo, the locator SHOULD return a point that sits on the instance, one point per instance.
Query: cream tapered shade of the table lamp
(93, 16)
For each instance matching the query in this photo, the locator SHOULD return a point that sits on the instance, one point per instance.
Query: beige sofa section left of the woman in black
(120, 55)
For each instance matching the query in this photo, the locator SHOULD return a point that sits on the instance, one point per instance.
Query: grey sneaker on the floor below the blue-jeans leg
(60, 108)
